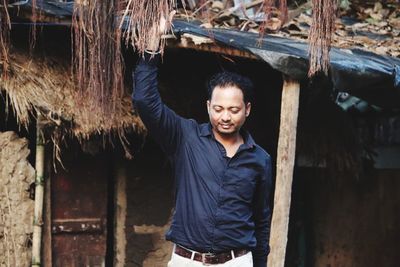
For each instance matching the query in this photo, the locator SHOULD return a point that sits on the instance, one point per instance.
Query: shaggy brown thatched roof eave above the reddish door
(36, 85)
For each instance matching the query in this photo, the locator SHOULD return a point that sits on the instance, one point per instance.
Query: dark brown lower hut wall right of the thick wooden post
(345, 222)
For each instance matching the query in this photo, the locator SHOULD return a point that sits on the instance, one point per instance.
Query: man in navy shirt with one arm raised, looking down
(223, 178)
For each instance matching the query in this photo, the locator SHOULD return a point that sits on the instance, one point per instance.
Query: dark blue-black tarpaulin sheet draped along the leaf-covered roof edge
(372, 77)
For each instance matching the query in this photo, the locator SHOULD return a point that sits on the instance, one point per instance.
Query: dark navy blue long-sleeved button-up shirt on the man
(221, 203)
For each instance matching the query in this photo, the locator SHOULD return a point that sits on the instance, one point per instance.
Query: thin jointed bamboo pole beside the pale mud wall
(39, 194)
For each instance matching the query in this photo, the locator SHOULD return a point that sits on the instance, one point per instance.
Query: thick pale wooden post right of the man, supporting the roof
(284, 171)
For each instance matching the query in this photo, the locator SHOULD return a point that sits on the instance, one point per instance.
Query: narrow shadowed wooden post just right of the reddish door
(120, 212)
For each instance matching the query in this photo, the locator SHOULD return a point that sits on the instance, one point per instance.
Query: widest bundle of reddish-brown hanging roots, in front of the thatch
(97, 59)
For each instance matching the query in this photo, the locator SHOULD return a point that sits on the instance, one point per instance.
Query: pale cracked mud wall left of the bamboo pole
(16, 209)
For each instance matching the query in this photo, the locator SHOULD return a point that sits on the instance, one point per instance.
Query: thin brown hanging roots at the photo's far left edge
(5, 26)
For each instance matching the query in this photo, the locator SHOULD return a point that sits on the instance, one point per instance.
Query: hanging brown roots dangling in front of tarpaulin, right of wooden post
(322, 28)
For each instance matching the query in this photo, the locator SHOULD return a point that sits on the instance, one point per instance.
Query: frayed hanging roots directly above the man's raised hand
(143, 14)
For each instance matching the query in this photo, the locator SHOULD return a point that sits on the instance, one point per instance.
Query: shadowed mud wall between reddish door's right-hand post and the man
(149, 208)
